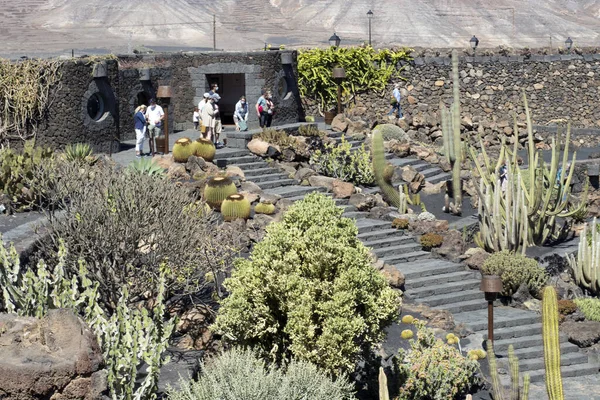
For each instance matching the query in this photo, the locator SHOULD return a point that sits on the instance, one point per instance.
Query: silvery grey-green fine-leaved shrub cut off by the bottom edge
(240, 374)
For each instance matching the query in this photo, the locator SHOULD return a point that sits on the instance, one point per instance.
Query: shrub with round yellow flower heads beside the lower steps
(434, 370)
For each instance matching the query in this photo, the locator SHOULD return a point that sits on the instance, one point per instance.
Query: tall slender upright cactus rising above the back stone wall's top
(452, 142)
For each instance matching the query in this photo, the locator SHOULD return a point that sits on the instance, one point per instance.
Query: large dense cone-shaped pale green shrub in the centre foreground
(308, 291)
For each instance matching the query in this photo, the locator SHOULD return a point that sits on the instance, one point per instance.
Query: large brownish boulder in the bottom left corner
(54, 357)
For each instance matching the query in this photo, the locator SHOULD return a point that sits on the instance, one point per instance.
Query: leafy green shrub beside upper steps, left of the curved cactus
(338, 161)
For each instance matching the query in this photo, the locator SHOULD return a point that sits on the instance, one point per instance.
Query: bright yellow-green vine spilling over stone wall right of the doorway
(367, 69)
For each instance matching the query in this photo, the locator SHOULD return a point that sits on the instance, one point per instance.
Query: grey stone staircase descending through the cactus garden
(437, 283)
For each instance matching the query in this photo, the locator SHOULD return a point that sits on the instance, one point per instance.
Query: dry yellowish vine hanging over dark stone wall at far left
(25, 95)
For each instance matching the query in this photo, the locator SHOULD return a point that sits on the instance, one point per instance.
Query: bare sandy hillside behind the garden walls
(56, 25)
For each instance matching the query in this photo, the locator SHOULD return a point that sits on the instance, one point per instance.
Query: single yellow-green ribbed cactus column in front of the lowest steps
(551, 344)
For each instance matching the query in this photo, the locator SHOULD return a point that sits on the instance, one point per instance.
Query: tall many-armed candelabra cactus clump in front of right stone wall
(546, 187)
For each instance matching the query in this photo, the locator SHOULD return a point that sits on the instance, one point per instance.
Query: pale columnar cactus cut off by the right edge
(586, 267)
